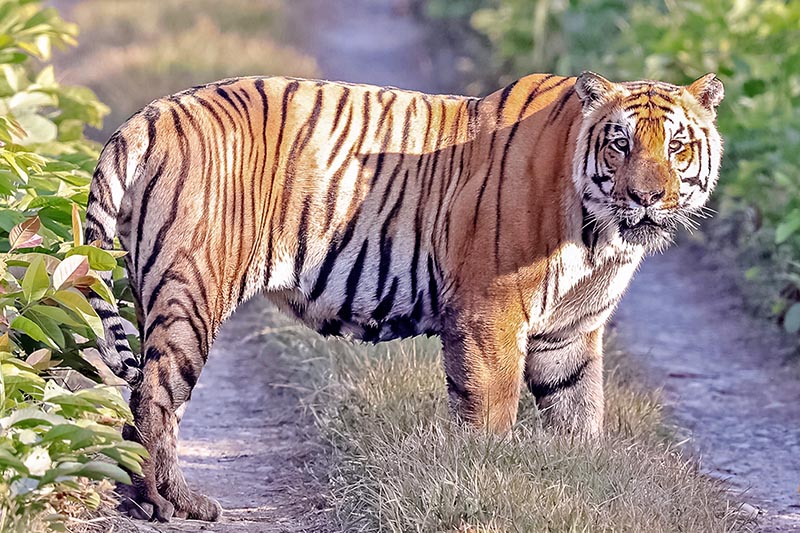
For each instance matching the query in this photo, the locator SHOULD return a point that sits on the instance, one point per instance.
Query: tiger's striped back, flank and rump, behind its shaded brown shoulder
(318, 186)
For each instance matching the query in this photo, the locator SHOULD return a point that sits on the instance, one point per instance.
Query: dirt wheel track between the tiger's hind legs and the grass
(246, 441)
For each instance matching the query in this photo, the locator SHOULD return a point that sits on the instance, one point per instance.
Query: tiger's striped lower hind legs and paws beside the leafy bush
(176, 343)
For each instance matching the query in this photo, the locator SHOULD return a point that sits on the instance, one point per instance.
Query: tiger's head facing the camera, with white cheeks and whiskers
(648, 154)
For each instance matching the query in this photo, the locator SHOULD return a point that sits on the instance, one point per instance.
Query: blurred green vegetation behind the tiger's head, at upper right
(752, 45)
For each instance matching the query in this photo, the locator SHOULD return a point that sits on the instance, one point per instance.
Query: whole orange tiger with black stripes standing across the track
(508, 225)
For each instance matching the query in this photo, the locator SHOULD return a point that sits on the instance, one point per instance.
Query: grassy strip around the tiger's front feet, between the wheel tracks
(399, 464)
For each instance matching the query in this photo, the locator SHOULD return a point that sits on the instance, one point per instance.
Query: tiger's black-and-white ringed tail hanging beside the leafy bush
(105, 196)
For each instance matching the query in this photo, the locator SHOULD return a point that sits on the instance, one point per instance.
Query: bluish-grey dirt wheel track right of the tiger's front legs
(724, 377)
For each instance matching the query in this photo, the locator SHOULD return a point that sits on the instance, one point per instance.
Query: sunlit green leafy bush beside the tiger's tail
(51, 438)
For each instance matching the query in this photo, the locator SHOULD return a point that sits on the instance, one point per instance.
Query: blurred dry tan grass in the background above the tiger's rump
(133, 51)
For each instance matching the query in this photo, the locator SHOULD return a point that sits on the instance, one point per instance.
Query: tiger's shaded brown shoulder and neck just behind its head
(521, 222)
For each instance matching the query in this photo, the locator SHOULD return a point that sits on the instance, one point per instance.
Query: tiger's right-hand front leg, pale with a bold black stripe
(565, 375)
